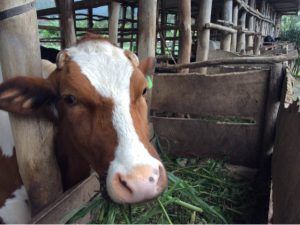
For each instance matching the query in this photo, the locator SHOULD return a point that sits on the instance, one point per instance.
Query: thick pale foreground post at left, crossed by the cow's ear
(20, 55)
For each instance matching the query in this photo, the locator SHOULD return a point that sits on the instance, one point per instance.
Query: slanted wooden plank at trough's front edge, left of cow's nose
(70, 200)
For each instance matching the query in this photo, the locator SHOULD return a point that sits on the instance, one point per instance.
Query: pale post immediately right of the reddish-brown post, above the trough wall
(203, 35)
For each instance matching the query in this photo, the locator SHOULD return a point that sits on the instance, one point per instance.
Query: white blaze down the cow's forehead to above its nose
(109, 71)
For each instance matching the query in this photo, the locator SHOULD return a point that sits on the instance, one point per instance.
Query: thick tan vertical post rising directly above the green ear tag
(147, 28)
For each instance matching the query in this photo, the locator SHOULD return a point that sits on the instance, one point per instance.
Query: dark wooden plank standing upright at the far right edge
(285, 168)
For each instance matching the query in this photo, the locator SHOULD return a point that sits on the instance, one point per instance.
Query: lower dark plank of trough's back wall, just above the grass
(237, 143)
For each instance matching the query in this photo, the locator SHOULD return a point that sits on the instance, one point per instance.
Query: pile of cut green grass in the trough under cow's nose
(198, 192)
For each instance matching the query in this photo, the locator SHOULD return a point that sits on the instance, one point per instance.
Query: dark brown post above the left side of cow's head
(68, 35)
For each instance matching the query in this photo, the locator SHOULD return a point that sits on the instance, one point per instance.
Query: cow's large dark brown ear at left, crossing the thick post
(26, 95)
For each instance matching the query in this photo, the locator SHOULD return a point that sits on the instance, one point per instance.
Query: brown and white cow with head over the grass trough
(95, 98)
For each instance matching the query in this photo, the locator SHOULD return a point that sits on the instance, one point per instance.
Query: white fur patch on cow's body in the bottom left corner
(16, 210)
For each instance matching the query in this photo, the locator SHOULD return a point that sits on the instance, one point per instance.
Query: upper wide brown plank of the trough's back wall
(234, 94)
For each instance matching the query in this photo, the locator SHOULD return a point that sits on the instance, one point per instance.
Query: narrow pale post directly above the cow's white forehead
(114, 9)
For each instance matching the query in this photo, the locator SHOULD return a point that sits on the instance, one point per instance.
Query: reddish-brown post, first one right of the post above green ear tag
(185, 33)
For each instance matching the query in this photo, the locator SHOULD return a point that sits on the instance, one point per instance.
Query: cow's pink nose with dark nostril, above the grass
(141, 184)
